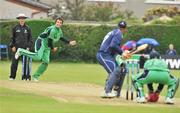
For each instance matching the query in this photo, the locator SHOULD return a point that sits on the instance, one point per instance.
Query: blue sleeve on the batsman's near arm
(115, 45)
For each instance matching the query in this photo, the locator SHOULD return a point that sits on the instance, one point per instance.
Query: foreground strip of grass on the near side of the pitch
(17, 102)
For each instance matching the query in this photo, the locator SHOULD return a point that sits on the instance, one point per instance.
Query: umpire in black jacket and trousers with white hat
(21, 38)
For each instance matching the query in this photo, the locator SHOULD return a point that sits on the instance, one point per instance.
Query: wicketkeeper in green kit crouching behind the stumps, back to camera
(155, 71)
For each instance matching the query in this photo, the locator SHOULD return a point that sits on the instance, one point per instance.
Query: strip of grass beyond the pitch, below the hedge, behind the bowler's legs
(63, 72)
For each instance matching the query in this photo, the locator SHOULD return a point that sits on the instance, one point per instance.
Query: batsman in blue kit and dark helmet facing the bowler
(106, 56)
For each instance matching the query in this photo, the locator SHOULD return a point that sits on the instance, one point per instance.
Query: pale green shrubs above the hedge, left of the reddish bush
(81, 10)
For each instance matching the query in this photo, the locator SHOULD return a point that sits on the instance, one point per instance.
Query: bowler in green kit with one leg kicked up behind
(44, 45)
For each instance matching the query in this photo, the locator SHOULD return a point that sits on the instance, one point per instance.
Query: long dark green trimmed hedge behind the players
(89, 37)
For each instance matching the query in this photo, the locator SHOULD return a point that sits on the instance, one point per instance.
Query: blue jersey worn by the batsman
(111, 43)
